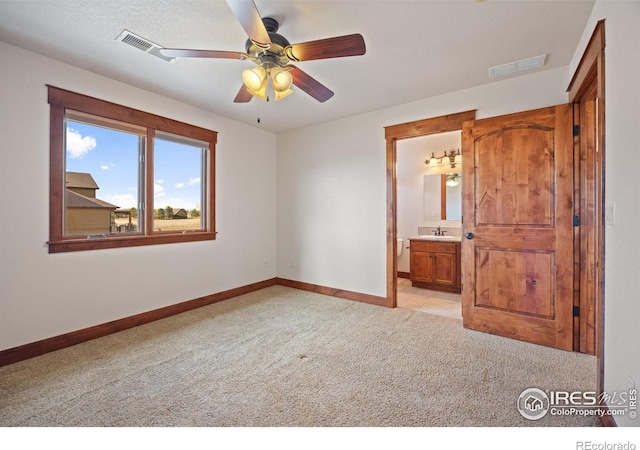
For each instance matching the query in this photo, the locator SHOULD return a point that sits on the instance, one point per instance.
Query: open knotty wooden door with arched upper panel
(517, 248)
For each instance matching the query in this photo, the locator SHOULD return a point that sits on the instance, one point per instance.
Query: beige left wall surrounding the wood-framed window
(44, 295)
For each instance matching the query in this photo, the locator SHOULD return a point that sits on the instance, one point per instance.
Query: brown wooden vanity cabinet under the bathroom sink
(435, 264)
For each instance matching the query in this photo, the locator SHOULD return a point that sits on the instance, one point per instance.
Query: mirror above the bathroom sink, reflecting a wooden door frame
(442, 201)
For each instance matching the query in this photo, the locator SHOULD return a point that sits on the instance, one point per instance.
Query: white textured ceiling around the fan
(415, 49)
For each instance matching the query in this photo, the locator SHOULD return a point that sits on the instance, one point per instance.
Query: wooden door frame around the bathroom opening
(394, 133)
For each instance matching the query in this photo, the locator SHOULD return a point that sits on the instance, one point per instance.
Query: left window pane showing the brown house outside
(102, 181)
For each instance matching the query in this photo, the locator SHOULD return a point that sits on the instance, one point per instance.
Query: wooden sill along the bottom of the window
(76, 245)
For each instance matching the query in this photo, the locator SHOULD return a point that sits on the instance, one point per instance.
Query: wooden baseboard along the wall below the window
(44, 346)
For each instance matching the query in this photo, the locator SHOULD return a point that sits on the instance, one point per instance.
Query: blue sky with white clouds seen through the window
(111, 157)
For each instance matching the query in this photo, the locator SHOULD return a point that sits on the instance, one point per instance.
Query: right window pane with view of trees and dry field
(179, 177)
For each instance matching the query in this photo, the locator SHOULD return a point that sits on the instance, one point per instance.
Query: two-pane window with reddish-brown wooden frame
(120, 177)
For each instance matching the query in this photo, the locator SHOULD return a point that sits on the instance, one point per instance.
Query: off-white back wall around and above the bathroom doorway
(332, 188)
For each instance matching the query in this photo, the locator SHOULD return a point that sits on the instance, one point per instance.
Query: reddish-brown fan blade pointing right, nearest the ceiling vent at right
(337, 47)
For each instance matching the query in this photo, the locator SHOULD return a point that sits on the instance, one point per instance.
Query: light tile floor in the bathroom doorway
(428, 301)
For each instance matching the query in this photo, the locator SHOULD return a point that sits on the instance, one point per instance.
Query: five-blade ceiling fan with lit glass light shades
(273, 54)
